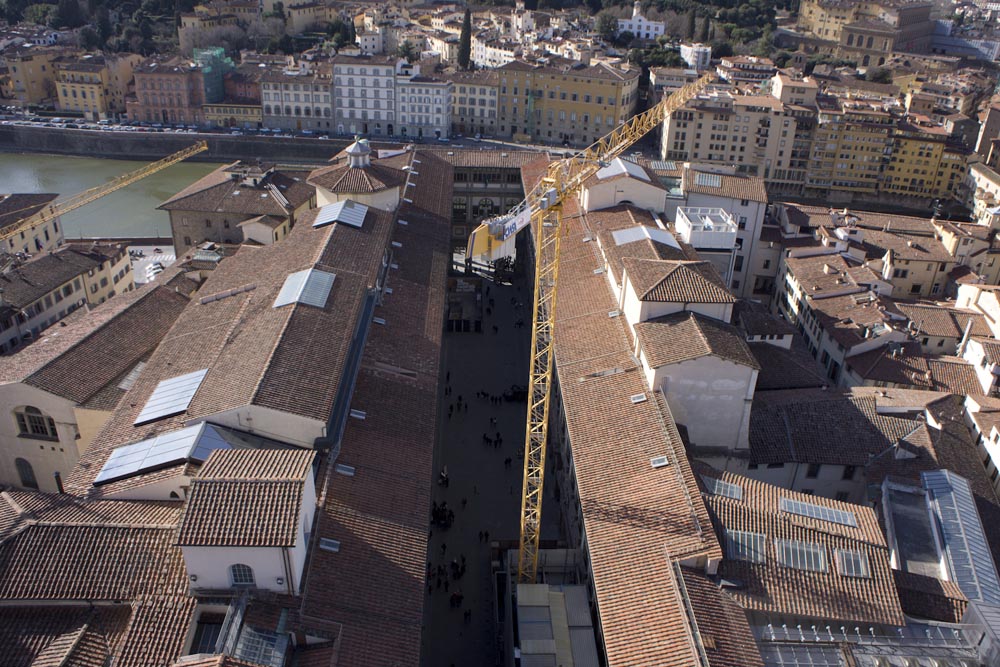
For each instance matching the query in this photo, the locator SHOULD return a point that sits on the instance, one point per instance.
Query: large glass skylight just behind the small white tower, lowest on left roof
(193, 443)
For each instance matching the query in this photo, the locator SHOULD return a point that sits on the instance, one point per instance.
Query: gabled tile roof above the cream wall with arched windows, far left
(81, 359)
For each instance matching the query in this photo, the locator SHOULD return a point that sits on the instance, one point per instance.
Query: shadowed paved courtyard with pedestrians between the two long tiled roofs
(485, 466)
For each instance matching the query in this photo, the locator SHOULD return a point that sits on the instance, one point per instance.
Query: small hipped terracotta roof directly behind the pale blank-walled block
(676, 281)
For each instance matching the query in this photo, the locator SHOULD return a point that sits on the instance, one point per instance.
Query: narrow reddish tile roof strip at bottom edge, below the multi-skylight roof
(722, 623)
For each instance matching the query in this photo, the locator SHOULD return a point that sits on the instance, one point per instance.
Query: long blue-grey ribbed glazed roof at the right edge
(969, 558)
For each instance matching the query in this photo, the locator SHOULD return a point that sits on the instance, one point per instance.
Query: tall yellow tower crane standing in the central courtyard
(542, 208)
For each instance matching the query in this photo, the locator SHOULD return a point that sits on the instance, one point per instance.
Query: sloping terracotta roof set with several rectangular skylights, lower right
(771, 587)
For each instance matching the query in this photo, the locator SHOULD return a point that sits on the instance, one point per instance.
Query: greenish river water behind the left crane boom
(127, 212)
